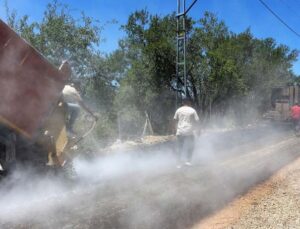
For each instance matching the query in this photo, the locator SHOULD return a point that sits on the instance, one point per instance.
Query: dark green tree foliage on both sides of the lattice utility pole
(226, 71)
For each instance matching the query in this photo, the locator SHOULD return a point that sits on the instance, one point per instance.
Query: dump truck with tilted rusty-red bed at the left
(32, 114)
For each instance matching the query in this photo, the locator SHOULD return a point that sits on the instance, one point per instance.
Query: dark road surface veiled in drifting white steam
(146, 190)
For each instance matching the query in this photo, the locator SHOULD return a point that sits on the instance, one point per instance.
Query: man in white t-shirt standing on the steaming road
(186, 118)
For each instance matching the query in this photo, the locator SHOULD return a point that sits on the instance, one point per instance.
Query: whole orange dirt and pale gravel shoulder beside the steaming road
(273, 203)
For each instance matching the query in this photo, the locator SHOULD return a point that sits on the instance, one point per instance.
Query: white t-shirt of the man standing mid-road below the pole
(186, 117)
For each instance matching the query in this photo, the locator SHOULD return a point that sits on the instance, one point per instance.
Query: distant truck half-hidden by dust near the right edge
(282, 99)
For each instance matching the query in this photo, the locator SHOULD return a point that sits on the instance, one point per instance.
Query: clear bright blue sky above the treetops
(237, 14)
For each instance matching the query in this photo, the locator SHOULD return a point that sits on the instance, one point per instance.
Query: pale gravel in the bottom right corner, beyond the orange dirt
(280, 208)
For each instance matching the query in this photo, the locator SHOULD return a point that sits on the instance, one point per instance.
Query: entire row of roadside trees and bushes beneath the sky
(228, 73)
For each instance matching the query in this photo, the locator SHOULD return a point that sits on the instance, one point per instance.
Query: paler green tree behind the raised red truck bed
(61, 36)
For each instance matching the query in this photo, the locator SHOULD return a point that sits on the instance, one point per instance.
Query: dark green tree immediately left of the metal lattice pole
(149, 50)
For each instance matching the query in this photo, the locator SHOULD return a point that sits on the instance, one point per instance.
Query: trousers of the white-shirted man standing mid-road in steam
(185, 147)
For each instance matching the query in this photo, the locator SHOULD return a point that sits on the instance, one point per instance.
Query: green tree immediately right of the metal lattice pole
(225, 69)
